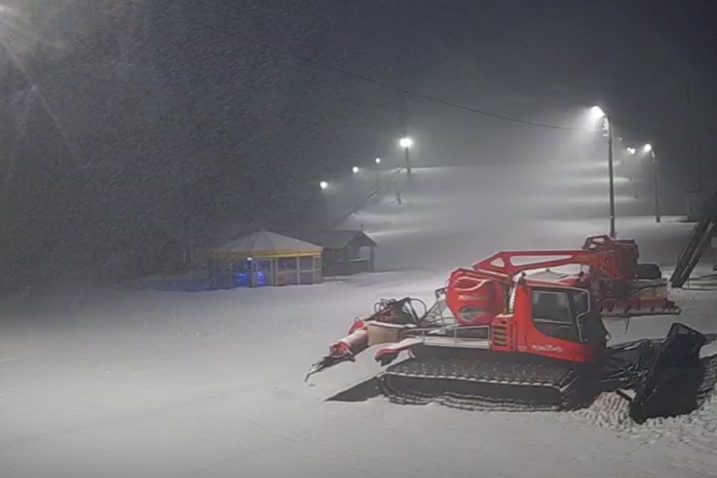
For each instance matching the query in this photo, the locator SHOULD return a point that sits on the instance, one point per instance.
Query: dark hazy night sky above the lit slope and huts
(121, 119)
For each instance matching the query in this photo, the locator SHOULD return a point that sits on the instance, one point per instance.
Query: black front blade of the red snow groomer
(673, 377)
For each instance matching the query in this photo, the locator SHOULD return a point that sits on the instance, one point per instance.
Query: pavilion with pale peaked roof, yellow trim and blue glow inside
(264, 258)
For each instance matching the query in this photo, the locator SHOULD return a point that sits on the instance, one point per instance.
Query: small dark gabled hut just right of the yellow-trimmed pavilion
(346, 251)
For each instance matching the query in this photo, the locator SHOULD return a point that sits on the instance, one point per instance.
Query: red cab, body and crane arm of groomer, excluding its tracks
(496, 306)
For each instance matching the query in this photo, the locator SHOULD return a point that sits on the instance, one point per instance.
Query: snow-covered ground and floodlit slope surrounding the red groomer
(129, 382)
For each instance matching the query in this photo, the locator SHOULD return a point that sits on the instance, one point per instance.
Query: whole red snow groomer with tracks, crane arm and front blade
(510, 333)
